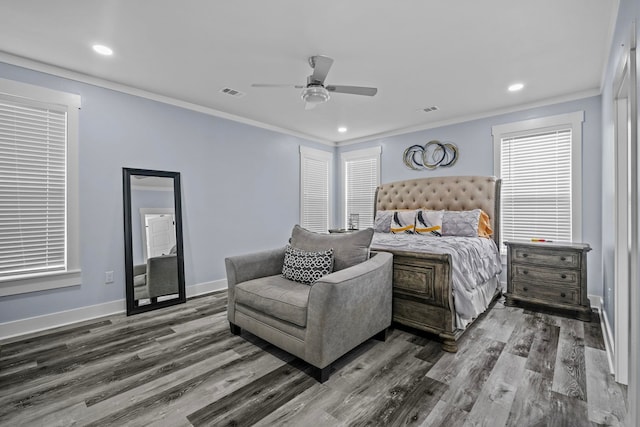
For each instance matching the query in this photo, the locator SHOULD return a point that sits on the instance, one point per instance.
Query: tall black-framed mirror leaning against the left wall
(153, 239)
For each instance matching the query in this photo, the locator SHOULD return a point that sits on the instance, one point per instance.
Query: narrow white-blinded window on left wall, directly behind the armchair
(315, 168)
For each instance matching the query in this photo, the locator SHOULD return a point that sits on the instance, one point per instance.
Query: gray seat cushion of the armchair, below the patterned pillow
(277, 297)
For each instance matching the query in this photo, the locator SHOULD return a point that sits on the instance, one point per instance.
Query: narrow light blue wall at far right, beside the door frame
(629, 10)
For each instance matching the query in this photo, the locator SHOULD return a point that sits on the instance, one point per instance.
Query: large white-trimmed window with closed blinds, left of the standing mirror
(38, 180)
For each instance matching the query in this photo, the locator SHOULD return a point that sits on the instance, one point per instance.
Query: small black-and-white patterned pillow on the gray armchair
(306, 267)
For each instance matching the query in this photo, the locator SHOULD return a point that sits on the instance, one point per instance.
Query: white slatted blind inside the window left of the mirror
(33, 142)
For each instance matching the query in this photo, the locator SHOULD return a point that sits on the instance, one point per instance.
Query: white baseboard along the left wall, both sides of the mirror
(81, 314)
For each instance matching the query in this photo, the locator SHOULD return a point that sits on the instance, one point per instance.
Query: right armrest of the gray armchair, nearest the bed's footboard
(348, 307)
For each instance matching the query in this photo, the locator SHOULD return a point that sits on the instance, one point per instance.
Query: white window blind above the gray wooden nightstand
(536, 172)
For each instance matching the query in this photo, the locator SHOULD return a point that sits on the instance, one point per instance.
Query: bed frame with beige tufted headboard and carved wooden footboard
(422, 286)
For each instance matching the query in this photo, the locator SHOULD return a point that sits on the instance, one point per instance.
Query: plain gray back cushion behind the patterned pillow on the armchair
(349, 249)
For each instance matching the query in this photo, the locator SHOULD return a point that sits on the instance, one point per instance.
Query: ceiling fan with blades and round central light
(315, 92)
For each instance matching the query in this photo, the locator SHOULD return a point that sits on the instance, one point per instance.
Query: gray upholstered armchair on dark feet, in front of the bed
(317, 323)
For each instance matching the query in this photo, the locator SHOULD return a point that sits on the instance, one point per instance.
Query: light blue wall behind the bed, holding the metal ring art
(475, 147)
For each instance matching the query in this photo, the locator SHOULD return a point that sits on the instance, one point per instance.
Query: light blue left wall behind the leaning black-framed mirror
(240, 188)
